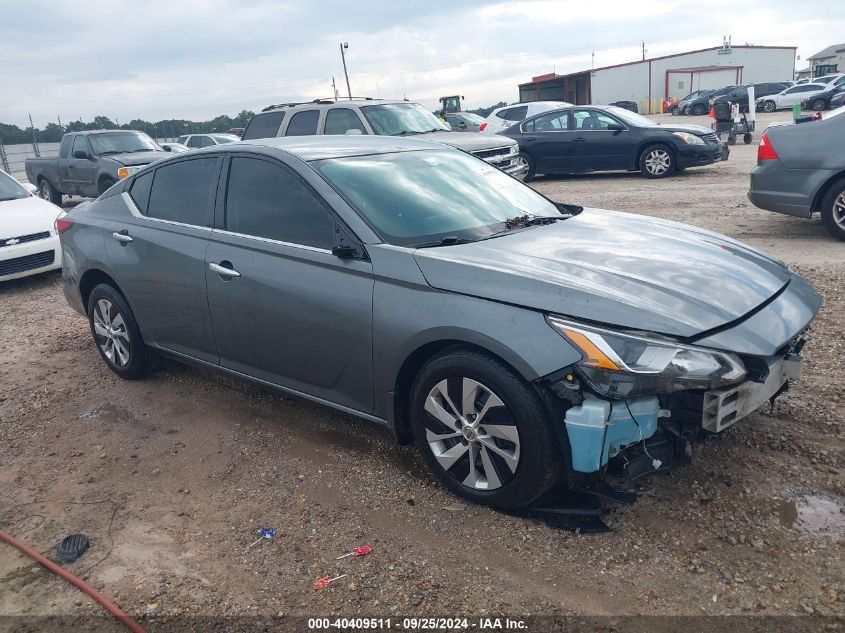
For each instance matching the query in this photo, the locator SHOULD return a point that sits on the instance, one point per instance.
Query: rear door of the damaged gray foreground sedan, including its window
(158, 254)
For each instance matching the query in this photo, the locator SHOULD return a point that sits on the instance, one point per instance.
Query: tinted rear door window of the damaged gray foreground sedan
(181, 192)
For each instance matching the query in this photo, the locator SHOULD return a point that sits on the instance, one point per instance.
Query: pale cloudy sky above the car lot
(196, 59)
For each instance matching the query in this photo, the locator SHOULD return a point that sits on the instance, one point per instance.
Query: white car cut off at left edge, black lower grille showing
(29, 243)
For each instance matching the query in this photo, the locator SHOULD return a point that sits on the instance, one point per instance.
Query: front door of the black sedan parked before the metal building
(595, 147)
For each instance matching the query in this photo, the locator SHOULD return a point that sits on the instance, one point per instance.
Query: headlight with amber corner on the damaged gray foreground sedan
(626, 365)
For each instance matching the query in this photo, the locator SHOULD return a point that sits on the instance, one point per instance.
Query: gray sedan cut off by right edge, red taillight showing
(801, 170)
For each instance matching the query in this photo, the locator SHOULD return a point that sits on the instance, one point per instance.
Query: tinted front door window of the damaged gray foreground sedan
(267, 200)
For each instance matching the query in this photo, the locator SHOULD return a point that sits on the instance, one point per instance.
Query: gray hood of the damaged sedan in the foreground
(614, 268)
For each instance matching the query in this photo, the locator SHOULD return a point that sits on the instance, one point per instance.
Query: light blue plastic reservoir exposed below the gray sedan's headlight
(599, 429)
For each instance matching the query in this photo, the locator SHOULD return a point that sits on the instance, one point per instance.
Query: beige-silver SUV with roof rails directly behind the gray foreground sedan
(384, 118)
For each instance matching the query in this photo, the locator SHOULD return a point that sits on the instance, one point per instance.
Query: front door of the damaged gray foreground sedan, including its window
(283, 307)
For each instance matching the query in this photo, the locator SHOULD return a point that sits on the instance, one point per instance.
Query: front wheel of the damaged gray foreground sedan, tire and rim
(533, 462)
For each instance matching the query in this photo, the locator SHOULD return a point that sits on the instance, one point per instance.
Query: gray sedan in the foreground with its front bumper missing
(517, 341)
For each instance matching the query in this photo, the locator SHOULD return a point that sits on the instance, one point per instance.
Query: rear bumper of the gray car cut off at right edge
(789, 191)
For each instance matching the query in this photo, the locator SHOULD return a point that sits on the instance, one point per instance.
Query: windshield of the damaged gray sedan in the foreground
(421, 197)
